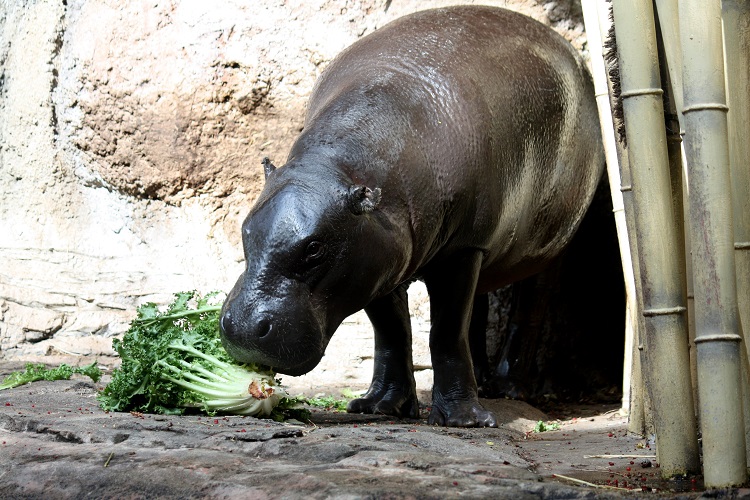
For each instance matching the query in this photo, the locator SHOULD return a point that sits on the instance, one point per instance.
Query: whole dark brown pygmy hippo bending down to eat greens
(459, 146)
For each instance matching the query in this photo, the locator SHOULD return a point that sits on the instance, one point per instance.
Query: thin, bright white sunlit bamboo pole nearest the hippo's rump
(601, 90)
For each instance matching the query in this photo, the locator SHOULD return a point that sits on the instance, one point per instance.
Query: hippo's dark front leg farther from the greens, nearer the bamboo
(455, 401)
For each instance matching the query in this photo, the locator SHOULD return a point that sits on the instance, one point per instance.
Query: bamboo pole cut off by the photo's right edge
(736, 18)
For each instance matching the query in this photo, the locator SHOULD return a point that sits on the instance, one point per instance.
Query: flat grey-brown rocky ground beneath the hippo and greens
(57, 443)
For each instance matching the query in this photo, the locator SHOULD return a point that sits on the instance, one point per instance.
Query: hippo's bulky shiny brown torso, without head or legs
(480, 126)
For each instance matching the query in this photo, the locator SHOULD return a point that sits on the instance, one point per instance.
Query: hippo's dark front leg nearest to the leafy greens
(393, 390)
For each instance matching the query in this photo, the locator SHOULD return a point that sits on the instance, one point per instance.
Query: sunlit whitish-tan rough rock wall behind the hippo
(131, 135)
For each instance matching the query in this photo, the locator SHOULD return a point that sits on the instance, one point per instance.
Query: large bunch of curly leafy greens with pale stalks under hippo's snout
(174, 360)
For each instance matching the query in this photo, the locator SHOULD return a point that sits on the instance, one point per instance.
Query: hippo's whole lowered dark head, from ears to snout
(315, 253)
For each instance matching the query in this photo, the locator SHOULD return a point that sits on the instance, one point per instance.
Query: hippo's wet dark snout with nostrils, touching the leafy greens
(289, 341)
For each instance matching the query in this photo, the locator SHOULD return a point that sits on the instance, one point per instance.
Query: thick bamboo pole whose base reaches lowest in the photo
(716, 316)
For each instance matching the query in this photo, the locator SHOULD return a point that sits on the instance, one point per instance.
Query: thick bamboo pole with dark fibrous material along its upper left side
(665, 333)
